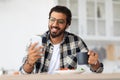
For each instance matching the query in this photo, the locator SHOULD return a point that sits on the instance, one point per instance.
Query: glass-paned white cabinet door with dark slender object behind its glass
(96, 18)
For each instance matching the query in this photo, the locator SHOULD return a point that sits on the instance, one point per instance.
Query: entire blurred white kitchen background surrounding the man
(97, 22)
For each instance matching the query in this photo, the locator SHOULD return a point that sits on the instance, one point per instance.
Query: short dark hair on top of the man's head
(64, 10)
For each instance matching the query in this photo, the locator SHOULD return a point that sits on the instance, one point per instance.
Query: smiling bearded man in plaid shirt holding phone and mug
(61, 47)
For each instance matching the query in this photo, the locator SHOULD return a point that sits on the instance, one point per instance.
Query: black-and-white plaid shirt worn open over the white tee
(69, 47)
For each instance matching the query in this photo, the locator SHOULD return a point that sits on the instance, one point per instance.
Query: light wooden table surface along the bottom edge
(43, 76)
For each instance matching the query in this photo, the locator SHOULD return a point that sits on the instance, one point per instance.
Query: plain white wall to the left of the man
(19, 19)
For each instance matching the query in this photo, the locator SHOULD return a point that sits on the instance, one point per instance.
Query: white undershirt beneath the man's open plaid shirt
(55, 60)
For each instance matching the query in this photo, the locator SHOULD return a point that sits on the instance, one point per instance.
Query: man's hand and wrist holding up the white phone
(33, 55)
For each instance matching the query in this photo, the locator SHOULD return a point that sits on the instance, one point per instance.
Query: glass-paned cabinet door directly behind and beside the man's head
(73, 6)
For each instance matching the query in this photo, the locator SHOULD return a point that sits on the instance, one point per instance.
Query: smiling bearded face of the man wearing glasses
(57, 24)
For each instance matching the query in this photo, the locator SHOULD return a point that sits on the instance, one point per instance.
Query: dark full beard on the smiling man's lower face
(58, 32)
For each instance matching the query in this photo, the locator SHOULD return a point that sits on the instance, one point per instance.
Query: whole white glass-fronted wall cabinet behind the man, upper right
(95, 19)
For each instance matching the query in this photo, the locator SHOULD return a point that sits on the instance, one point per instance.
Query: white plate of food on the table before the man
(69, 71)
